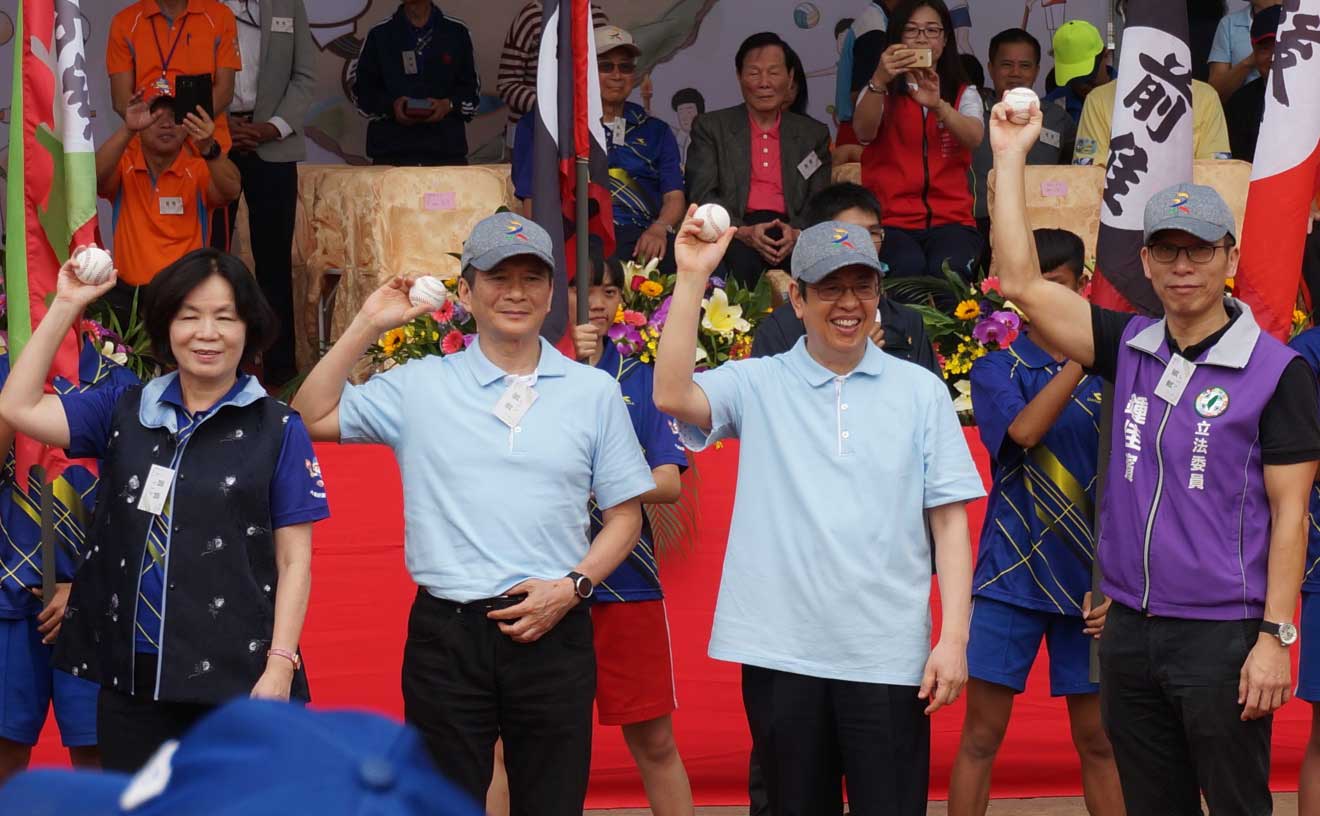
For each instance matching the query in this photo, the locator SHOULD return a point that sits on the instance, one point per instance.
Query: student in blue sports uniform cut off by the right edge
(1309, 667)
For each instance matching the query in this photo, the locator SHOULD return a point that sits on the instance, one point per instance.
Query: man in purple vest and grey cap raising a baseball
(1216, 435)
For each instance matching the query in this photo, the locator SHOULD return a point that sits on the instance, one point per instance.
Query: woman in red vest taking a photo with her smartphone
(921, 121)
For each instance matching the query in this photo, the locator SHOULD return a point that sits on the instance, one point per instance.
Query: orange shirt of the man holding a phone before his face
(158, 221)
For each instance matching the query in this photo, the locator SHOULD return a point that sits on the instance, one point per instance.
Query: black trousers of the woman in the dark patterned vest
(130, 728)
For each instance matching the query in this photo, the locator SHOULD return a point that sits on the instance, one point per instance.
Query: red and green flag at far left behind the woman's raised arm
(52, 195)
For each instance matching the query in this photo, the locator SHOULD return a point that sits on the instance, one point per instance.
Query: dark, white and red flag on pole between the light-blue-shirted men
(568, 126)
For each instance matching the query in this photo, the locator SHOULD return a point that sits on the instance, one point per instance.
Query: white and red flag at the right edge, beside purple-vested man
(1286, 174)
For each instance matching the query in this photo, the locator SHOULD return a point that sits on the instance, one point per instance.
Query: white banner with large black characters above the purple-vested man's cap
(1150, 147)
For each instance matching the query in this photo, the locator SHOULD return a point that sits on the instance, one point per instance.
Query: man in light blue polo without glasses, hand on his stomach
(500, 448)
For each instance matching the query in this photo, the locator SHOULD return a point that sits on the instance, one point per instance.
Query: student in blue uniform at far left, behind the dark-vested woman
(28, 683)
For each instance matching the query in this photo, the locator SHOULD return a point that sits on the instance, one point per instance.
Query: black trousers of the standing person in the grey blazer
(271, 189)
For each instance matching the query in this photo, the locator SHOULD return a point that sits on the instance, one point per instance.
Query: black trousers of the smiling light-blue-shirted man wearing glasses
(812, 735)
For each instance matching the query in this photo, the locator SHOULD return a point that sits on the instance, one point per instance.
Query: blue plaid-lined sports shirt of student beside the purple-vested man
(1037, 543)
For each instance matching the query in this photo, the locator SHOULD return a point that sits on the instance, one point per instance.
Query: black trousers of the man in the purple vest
(1169, 693)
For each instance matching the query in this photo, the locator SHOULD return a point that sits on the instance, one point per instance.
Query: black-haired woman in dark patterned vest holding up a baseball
(199, 563)
